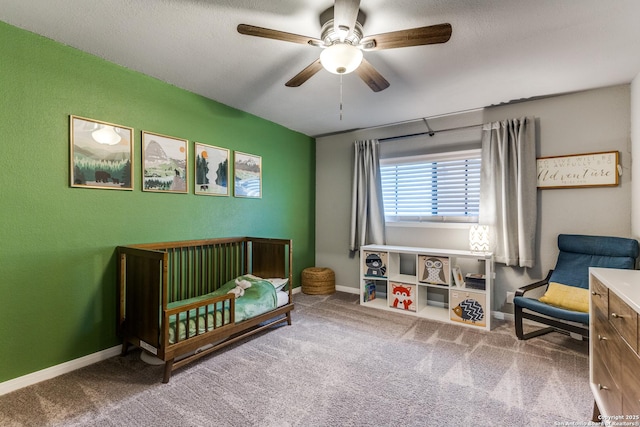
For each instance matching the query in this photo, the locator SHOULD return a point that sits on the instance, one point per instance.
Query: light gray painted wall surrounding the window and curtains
(584, 122)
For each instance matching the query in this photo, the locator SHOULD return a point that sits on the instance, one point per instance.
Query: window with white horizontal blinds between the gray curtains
(434, 187)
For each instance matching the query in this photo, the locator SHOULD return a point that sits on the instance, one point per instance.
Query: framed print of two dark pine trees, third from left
(211, 170)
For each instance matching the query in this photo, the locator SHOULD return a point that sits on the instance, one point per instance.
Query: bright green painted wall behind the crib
(57, 243)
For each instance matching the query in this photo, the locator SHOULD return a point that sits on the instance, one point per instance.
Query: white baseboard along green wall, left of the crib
(54, 371)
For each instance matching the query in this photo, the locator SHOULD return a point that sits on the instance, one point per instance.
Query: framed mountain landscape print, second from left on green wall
(164, 163)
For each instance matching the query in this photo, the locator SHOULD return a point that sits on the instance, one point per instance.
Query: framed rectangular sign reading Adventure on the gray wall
(578, 170)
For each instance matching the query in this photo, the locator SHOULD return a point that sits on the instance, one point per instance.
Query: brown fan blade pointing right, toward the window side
(420, 36)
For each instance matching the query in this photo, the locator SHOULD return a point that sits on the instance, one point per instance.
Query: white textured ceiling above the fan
(499, 51)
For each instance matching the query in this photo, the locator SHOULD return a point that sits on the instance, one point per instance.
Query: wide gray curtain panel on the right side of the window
(508, 189)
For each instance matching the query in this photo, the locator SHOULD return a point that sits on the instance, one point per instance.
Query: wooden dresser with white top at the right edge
(614, 364)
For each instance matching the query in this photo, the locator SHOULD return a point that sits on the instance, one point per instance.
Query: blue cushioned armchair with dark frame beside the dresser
(577, 254)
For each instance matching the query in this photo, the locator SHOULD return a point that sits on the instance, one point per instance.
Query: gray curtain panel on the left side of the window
(367, 209)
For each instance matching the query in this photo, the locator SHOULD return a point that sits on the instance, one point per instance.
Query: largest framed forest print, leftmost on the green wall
(101, 154)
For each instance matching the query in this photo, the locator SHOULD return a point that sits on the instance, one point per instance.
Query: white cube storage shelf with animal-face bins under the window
(429, 289)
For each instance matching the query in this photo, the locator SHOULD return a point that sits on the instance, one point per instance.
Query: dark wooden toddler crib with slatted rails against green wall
(164, 290)
